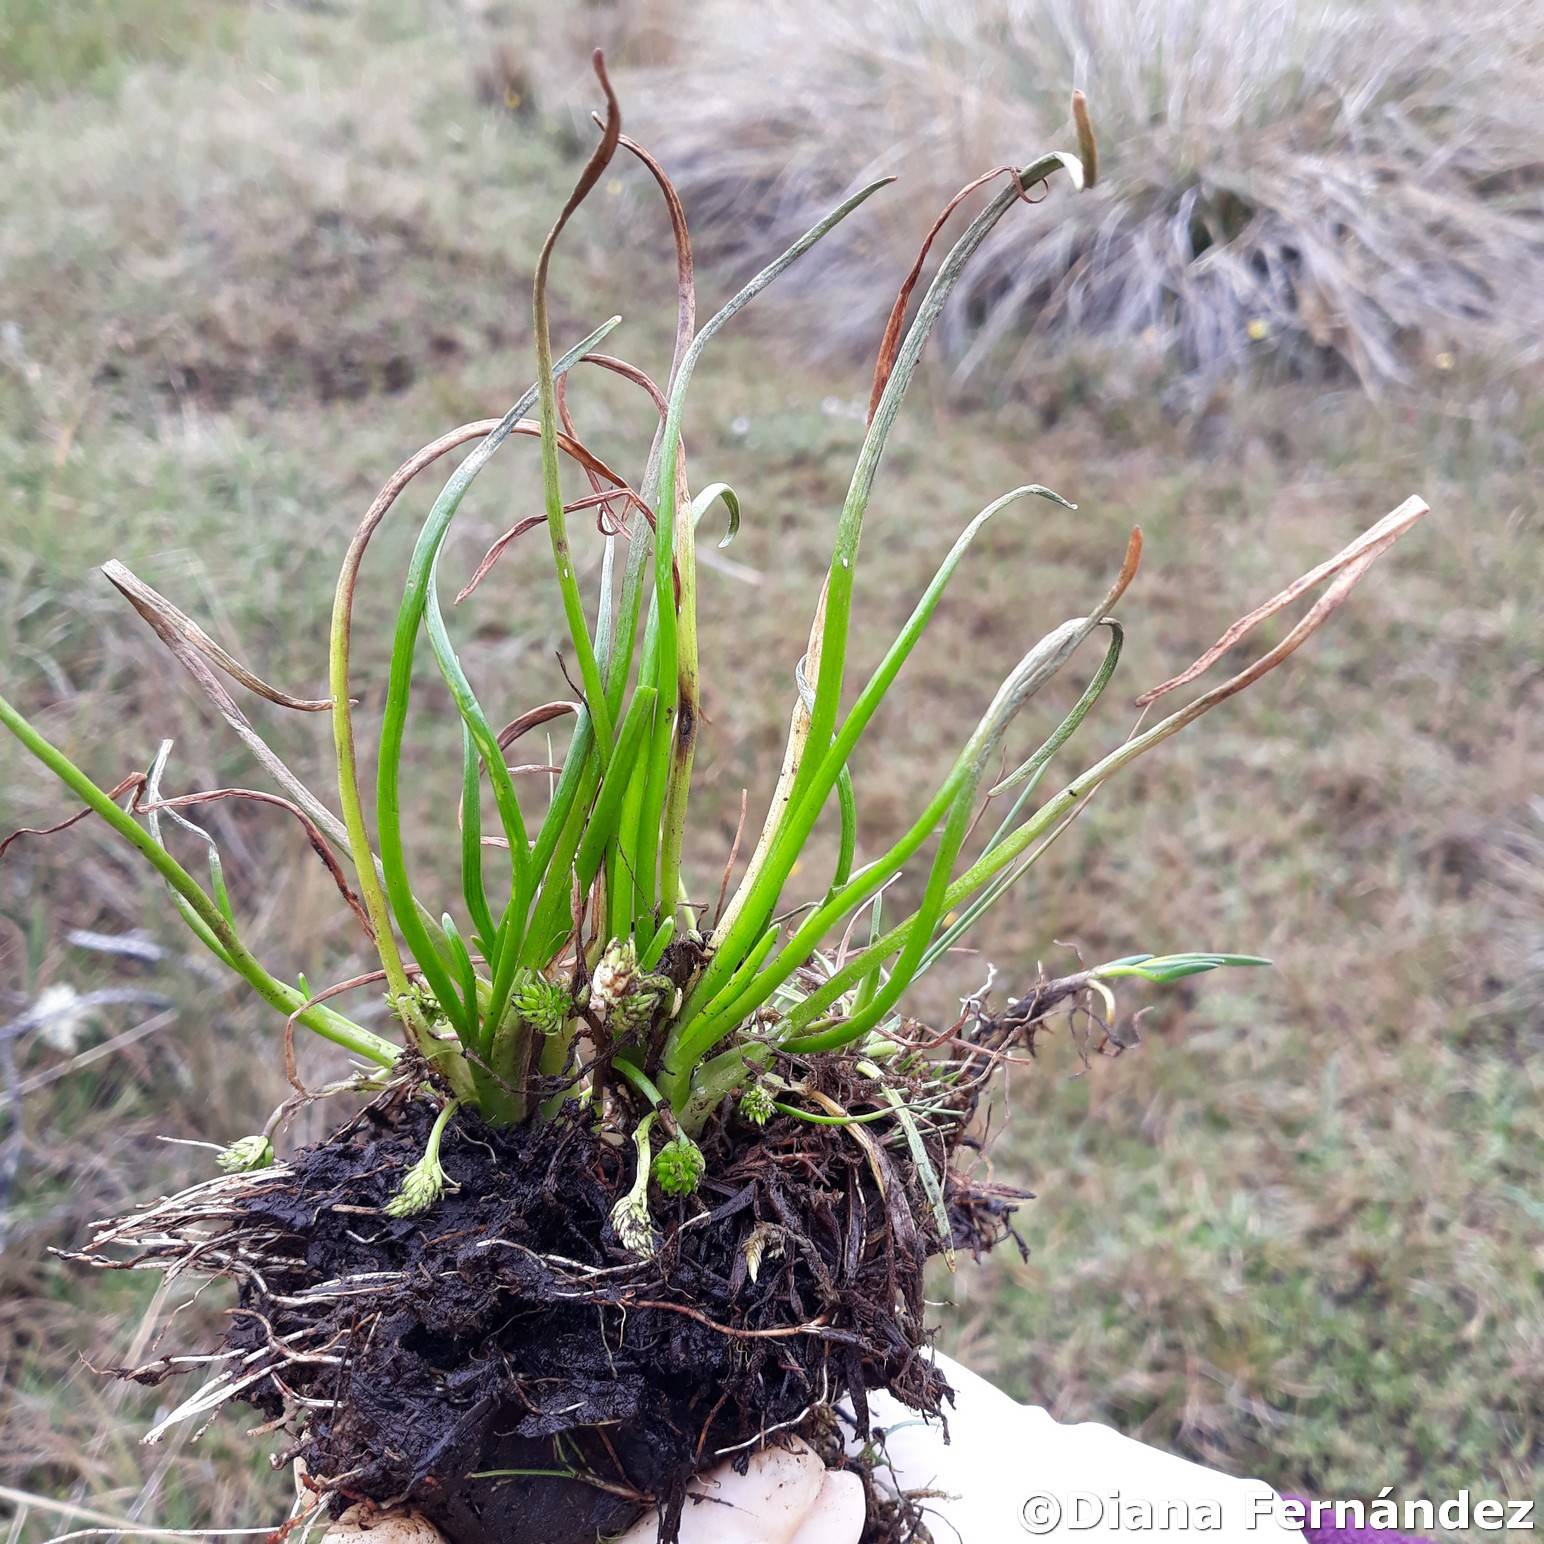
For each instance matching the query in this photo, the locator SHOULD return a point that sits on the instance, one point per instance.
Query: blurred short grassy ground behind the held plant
(252, 257)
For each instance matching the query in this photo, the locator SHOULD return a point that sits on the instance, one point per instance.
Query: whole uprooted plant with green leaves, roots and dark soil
(659, 1160)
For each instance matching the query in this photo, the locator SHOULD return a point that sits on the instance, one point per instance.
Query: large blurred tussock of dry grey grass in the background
(1333, 186)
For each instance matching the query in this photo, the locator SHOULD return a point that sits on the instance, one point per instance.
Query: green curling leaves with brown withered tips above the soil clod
(587, 973)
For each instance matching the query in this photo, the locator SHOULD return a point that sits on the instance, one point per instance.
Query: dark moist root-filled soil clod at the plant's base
(507, 1329)
